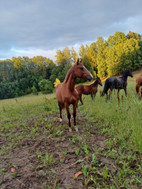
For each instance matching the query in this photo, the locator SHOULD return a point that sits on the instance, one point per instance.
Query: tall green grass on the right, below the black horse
(123, 121)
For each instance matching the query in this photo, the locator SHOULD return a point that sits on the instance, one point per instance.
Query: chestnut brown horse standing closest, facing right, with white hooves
(66, 94)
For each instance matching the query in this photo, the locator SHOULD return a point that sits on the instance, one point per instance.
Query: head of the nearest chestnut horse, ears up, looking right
(81, 72)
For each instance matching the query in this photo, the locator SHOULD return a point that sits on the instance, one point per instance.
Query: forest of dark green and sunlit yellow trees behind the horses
(103, 58)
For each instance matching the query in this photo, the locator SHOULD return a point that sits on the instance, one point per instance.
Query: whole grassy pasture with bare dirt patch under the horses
(38, 152)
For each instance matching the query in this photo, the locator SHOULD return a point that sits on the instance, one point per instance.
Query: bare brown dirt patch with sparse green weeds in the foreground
(43, 137)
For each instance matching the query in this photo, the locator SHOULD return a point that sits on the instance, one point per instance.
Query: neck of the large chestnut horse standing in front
(70, 81)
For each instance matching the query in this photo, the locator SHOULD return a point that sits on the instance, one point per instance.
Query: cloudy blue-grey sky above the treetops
(41, 27)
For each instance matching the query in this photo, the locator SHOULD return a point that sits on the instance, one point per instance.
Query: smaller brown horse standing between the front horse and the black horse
(88, 89)
